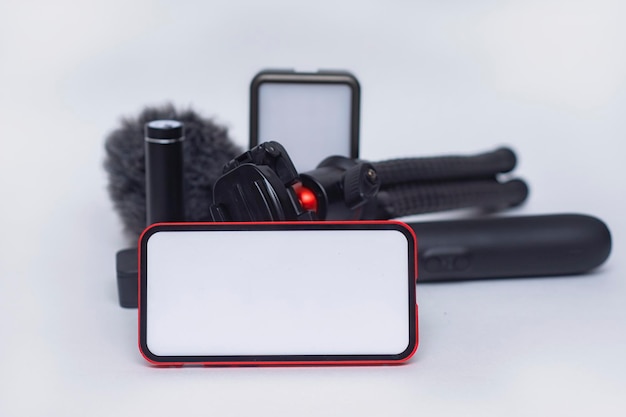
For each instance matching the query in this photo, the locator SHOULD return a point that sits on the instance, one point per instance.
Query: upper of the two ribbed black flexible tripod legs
(483, 165)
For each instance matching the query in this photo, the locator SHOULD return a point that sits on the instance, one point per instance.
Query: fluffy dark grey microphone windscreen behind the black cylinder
(207, 148)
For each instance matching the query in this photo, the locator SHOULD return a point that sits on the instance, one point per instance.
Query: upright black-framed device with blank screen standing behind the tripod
(313, 115)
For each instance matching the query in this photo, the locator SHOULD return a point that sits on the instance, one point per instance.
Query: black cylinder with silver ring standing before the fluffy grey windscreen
(164, 171)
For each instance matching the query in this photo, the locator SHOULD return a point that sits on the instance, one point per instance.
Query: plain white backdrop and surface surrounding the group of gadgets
(546, 77)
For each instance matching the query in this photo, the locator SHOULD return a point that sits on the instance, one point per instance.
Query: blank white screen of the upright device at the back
(312, 121)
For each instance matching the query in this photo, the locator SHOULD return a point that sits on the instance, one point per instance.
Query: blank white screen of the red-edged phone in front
(277, 292)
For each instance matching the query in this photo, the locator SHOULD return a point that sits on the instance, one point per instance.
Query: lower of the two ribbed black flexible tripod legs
(406, 199)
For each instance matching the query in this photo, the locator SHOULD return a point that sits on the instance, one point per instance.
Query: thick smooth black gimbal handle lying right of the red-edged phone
(560, 244)
